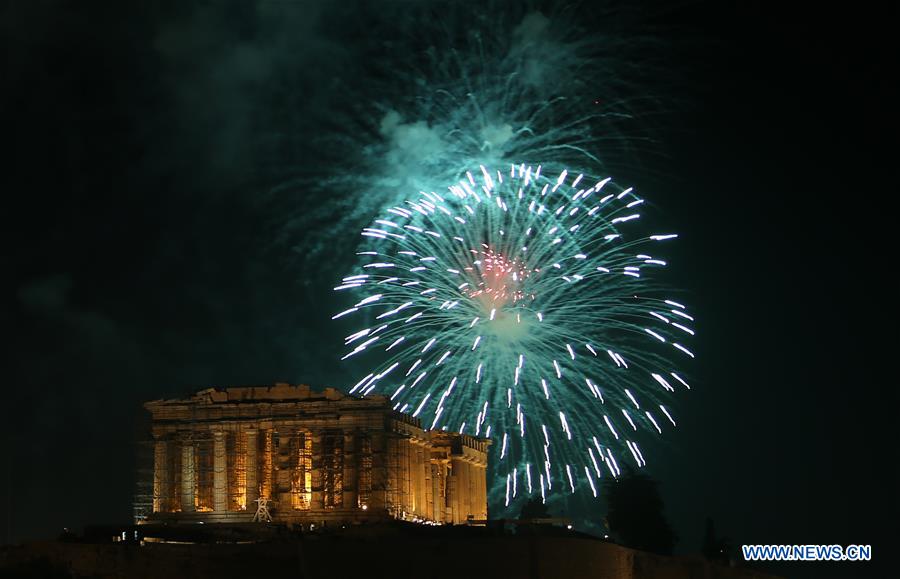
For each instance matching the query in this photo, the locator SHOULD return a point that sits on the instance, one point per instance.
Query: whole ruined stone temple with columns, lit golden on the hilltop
(320, 457)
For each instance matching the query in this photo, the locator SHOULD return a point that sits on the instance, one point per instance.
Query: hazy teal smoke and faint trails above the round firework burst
(456, 85)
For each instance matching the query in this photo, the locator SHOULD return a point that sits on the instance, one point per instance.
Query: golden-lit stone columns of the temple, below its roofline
(422, 484)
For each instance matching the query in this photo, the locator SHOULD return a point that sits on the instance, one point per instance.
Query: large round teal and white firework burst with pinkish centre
(523, 308)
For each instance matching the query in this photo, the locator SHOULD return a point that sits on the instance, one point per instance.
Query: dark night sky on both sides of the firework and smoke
(145, 256)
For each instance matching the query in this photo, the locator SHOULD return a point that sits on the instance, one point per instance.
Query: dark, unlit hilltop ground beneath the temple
(389, 551)
